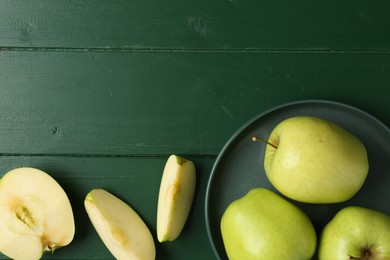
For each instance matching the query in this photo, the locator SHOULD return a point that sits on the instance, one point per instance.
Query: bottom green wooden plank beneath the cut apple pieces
(136, 181)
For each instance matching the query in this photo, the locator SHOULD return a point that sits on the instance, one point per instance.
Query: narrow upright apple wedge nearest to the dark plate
(175, 198)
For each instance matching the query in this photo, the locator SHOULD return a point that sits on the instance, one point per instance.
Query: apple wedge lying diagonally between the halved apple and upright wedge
(121, 229)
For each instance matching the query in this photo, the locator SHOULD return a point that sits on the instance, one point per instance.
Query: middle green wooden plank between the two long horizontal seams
(121, 103)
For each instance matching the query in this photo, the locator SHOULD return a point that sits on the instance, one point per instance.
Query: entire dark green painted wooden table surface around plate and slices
(100, 93)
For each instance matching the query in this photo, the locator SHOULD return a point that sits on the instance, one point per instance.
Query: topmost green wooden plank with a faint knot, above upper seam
(202, 24)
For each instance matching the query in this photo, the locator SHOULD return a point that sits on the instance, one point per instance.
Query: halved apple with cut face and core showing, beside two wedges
(35, 214)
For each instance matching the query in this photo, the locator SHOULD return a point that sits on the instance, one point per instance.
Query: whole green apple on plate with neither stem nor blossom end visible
(263, 225)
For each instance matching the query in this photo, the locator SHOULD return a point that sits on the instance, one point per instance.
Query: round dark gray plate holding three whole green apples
(239, 166)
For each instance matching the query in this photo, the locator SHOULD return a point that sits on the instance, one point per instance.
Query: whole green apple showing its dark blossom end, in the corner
(356, 233)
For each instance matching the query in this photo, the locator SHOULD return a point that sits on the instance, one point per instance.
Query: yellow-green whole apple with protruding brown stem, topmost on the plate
(316, 161)
